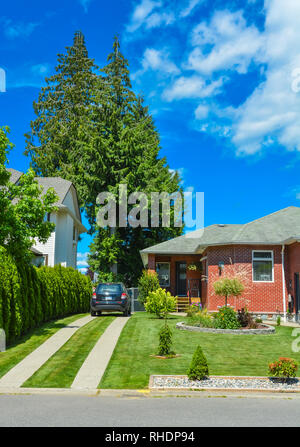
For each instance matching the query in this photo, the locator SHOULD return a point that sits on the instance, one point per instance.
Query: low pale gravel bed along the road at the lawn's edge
(224, 383)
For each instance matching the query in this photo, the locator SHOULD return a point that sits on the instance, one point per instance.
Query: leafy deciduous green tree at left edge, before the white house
(22, 208)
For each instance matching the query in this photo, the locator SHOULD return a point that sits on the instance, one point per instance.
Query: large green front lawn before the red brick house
(131, 364)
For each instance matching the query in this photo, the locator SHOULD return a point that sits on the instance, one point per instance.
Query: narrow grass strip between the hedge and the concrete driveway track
(22, 347)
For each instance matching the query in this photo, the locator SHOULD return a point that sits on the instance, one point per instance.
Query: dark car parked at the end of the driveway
(110, 297)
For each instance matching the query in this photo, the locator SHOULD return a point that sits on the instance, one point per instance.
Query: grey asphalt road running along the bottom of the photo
(111, 411)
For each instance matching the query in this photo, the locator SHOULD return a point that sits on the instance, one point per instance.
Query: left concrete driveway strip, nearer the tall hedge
(30, 364)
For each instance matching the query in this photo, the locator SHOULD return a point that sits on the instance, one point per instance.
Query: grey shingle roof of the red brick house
(280, 227)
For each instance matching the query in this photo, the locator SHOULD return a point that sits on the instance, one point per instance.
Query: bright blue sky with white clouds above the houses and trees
(220, 78)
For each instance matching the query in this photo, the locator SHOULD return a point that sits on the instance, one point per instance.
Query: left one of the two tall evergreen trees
(60, 139)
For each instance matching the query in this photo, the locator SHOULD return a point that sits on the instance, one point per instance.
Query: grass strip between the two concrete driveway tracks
(60, 370)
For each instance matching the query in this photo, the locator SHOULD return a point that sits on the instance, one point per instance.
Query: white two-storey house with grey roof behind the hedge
(61, 247)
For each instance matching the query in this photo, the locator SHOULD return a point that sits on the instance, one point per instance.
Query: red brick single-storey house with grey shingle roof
(264, 253)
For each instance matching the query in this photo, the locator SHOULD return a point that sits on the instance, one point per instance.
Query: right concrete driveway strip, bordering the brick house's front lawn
(93, 368)
